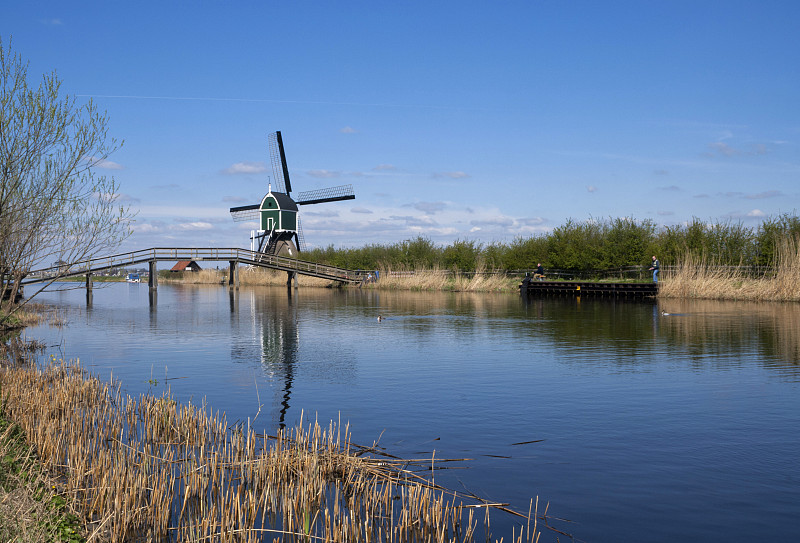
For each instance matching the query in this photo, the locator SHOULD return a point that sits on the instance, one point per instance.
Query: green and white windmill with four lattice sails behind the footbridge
(279, 230)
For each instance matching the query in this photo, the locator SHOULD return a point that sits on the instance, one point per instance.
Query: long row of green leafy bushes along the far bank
(592, 245)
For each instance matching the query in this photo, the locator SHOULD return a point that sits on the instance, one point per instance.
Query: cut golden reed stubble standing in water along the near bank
(149, 469)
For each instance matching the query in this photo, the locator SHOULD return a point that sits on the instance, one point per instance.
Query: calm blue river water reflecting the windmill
(651, 427)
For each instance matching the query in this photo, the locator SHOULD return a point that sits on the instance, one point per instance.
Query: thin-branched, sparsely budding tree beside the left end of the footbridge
(53, 207)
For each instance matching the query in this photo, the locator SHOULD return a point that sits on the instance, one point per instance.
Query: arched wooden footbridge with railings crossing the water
(233, 256)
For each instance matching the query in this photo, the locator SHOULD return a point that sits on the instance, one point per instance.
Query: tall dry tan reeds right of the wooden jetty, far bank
(697, 278)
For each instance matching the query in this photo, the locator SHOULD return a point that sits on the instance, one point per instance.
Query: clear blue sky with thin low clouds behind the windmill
(452, 120)
